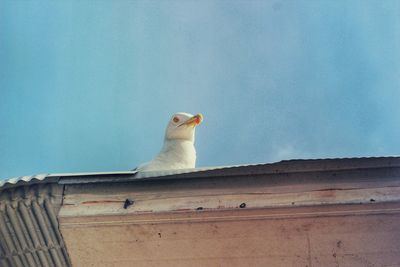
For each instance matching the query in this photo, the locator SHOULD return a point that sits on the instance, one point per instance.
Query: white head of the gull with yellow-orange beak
(182, 126)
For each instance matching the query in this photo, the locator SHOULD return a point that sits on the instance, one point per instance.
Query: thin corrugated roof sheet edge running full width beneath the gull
(286, 166)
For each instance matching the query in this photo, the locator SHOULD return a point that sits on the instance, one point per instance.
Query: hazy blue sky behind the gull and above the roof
(90, 85)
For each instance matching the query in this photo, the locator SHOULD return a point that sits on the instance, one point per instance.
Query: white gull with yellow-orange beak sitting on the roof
(178, 151)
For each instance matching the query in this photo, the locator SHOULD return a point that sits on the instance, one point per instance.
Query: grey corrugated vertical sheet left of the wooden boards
(29, 228)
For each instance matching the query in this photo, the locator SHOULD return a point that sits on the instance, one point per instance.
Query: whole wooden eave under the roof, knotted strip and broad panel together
(319, 218)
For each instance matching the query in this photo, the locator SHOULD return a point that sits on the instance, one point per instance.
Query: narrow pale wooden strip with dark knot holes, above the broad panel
(91, 205)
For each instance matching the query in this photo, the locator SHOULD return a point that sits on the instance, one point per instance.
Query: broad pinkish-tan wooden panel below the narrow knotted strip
(255, 237)
